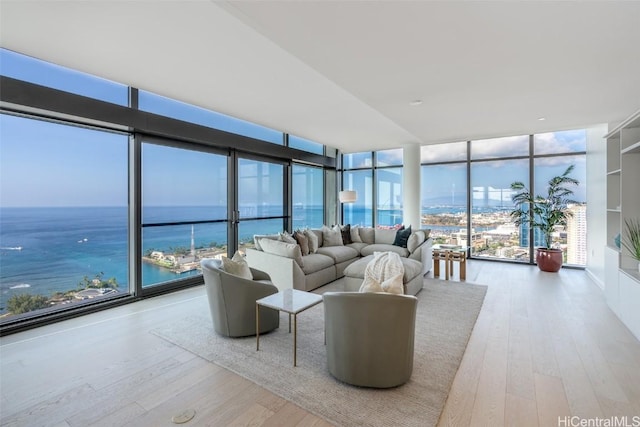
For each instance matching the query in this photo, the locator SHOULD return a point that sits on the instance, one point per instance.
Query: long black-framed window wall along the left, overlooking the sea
(89, 214)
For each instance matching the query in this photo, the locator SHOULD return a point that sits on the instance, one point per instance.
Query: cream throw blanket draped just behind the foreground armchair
(384, 274)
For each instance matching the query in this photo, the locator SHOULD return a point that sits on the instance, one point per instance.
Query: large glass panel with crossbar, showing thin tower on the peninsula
(181, 185)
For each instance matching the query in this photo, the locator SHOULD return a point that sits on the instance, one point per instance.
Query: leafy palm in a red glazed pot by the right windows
(545, 213)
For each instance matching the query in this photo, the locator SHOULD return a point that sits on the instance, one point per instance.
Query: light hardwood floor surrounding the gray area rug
(544, 346)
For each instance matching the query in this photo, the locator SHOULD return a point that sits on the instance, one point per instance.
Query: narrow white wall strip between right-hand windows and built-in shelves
(596, 201)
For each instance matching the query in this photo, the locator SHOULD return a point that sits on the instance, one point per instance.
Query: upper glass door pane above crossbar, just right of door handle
(260, 189)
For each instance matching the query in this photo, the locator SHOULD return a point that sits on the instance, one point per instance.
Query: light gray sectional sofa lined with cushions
(288, 268)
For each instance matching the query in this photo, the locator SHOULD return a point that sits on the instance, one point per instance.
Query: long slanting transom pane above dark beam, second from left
(189, 113)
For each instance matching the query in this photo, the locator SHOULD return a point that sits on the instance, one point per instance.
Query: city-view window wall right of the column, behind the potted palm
(484, 226)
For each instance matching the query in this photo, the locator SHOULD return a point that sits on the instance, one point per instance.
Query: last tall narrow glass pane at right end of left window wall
(308, 196)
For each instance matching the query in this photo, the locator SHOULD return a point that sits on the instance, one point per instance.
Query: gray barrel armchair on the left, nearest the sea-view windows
(232, 300)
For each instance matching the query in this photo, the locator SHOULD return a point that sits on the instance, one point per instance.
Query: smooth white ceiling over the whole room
(343, 72)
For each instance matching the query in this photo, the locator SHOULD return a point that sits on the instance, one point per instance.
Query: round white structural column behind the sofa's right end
(411, 193)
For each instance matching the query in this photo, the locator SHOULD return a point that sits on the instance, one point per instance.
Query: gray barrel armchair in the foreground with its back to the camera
(370, 337)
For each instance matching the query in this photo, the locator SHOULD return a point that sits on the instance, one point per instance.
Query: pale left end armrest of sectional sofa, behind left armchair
(285, 272)
